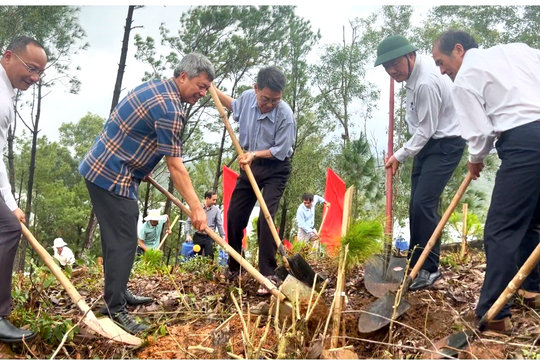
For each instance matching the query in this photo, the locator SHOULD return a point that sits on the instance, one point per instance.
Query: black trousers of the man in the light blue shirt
(271, 176)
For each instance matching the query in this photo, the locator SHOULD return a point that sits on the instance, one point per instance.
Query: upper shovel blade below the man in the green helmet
(383, 275)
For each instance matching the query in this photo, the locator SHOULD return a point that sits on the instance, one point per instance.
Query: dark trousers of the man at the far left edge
(10, 235)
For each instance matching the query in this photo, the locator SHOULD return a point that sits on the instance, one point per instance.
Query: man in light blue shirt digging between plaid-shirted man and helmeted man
(267, 131)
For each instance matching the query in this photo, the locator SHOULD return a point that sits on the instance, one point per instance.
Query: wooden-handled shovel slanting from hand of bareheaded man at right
(378, 314)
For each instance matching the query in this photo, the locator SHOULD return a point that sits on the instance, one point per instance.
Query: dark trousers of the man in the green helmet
(432, 168)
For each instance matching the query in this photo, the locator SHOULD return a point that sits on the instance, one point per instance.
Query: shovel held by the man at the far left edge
(104, 326)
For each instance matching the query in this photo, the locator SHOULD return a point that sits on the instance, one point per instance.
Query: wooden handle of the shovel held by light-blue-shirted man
(249, 173)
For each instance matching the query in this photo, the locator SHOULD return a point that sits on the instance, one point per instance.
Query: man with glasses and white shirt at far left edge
(23, 64)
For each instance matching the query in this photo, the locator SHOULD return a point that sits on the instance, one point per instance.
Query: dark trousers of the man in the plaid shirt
(117, 217)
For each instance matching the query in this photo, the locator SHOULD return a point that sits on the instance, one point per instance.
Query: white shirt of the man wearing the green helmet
(430, 110)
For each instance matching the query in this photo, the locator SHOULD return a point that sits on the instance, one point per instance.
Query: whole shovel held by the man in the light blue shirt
(296, 265)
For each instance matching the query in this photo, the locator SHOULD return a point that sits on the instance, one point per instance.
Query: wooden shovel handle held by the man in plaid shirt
(254, 272)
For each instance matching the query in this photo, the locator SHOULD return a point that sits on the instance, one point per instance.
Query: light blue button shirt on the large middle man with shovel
(274, 131)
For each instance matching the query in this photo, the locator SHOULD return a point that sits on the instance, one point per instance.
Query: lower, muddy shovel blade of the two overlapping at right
(378, 314)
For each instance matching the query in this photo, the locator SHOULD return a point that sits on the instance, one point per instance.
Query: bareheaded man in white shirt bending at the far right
(497, 97)
